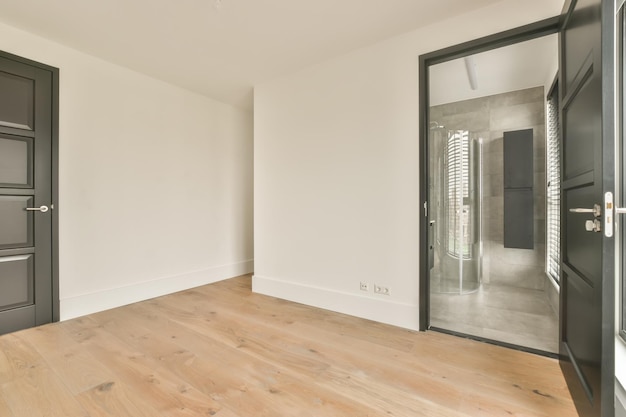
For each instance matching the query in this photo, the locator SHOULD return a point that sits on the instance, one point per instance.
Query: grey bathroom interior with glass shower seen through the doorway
(490, 183)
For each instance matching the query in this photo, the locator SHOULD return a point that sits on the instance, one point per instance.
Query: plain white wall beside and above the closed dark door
(155, 182)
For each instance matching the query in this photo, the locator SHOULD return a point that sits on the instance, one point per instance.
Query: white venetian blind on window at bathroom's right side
(553, 191)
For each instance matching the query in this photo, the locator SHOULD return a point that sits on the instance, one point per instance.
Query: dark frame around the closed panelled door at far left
(55, 174)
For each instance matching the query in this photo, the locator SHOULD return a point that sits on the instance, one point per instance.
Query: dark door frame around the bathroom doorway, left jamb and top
(524, 33)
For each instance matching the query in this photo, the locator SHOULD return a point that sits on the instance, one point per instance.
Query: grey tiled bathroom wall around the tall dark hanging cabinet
(489, 117)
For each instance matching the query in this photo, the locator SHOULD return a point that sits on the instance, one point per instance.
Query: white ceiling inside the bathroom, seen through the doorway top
(523, 65)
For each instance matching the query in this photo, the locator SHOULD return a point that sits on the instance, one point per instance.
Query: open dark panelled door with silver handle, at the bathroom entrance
(586, 354)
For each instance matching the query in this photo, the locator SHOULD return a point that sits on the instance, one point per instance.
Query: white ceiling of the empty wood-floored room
(221, 48)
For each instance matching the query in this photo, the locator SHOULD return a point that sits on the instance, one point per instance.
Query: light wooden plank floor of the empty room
(220, 350)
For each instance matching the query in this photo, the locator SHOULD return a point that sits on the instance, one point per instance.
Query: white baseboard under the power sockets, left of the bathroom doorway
(373, 308)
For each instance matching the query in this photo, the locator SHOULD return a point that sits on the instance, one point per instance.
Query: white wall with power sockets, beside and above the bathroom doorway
(336, 171)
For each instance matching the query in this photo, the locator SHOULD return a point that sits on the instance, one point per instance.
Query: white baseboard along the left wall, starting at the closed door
(81, 305)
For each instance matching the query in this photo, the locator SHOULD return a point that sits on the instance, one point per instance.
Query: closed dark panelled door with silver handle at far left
(26, 239)
